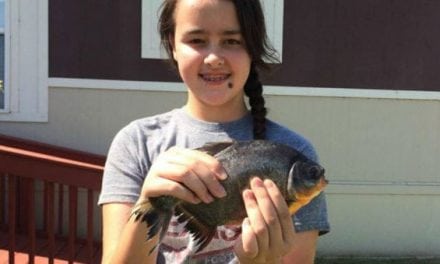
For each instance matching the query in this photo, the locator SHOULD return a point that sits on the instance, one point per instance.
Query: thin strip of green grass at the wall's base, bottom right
(376, 261)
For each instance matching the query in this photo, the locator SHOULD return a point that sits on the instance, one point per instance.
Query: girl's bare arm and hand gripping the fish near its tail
(189, 175)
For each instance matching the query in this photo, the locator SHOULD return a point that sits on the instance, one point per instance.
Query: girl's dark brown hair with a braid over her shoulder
(252, 25)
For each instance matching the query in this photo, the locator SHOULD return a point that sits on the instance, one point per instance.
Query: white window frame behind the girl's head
(273, 10)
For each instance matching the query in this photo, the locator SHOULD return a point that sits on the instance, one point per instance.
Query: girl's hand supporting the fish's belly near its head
(267, 232)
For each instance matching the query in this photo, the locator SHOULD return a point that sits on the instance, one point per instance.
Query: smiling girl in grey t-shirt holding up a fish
(218, 47)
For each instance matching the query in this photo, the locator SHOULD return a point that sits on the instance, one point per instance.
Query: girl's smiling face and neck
(212, 58)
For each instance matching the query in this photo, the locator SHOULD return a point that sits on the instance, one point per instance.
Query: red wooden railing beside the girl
(34, 179)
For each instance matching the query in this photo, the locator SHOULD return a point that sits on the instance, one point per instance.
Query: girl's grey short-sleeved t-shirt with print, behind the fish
(137, 145)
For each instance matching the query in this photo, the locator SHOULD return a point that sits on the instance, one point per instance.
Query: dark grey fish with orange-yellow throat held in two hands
(298, 178)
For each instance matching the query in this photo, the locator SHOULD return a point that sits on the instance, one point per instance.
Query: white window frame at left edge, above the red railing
(26, 61)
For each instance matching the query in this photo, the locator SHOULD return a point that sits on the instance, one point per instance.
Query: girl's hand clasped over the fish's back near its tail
(186, 174)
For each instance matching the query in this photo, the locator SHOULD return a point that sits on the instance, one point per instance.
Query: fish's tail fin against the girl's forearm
(156, 221)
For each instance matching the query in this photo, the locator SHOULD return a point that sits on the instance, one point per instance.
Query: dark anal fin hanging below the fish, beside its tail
(202, 232)
